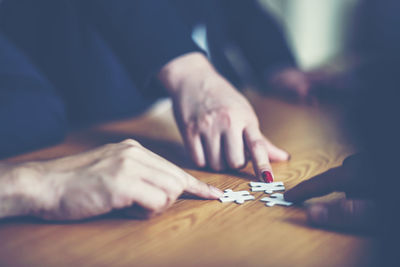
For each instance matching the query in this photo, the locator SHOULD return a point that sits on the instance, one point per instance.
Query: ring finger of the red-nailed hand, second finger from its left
(212, 143)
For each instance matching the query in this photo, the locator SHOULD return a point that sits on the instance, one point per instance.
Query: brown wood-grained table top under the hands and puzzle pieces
(200, 232)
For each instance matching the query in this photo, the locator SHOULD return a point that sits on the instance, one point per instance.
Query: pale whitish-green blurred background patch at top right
(317, 31)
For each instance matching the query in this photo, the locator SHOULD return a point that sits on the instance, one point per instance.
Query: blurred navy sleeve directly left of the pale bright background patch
(258, 35)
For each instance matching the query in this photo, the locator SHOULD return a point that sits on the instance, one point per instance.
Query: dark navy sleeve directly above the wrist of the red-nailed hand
(146, 34)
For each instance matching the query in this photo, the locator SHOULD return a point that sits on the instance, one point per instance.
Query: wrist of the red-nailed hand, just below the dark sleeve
(175, 73)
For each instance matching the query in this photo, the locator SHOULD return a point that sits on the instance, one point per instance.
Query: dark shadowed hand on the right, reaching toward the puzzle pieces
(355, 212)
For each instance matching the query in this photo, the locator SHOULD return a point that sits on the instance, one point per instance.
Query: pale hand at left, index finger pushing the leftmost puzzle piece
(115, 176)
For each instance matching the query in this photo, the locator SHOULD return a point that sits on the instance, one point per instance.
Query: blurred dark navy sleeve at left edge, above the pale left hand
(31, 114)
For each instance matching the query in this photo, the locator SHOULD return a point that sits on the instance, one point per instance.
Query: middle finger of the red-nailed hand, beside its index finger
(234, 149)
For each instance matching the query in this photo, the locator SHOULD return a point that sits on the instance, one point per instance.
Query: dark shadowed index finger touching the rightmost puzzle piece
(320, 185)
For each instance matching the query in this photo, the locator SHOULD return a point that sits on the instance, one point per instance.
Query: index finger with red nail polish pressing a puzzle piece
(258, 149)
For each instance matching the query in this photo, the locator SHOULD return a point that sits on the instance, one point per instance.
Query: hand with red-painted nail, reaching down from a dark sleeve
(217, 123)
